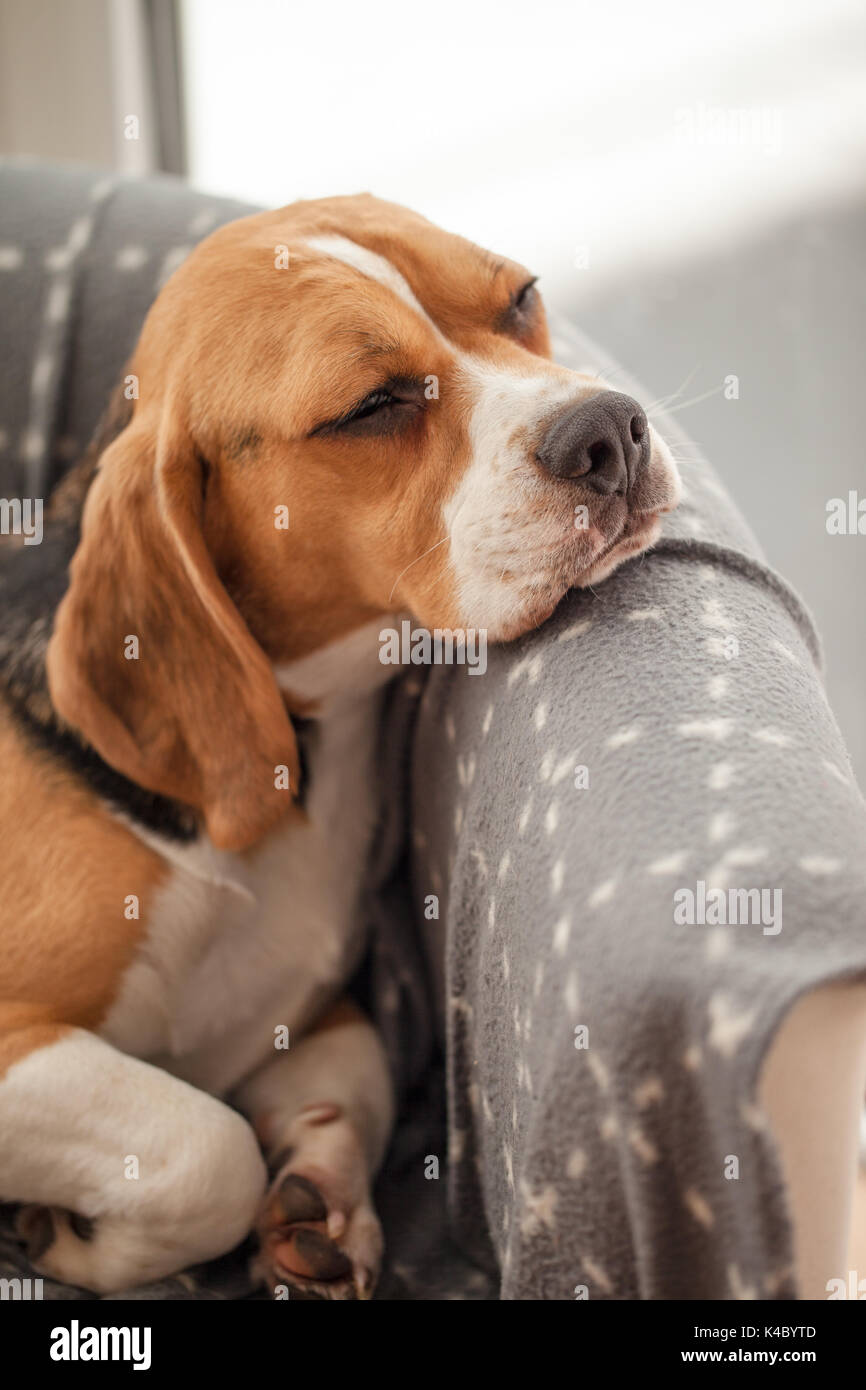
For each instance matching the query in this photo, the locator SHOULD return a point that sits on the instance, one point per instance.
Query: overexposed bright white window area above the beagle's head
(553, 131)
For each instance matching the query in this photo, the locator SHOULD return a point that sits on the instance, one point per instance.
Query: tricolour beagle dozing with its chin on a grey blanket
(338, 414)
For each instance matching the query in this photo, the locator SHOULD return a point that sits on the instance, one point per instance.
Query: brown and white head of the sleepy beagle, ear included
(340, 412)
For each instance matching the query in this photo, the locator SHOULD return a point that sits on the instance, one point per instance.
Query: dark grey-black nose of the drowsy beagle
(604, 441)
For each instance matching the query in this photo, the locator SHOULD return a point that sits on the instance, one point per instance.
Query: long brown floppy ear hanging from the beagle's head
(151, 660)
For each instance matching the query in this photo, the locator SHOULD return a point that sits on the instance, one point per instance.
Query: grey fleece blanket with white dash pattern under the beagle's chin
(539, 903)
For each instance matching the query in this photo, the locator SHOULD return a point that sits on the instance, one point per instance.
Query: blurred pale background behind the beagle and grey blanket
(689, 183)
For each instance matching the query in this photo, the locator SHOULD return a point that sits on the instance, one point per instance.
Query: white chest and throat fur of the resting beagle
(243, 946)
